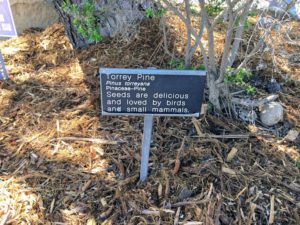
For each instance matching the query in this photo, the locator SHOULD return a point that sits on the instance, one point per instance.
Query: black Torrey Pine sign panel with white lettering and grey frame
(151, 91)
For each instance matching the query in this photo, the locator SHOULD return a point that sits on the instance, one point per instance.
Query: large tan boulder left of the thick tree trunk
(33, 13)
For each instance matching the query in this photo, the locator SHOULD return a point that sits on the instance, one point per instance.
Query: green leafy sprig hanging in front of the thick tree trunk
(84, 19)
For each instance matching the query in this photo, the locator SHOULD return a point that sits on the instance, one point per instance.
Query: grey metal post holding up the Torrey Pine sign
(148, 122)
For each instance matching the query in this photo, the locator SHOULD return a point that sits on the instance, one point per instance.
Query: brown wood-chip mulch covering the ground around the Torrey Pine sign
(61, 162)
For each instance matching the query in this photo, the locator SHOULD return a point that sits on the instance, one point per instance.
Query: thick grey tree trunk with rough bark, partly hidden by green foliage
(113, 17)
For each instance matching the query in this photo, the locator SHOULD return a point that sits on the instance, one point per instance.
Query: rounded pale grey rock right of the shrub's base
(271, 113)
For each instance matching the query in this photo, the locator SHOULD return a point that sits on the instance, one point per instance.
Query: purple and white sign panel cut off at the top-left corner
(7, 25)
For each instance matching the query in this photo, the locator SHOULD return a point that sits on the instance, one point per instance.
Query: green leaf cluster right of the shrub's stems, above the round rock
(238, 79)
